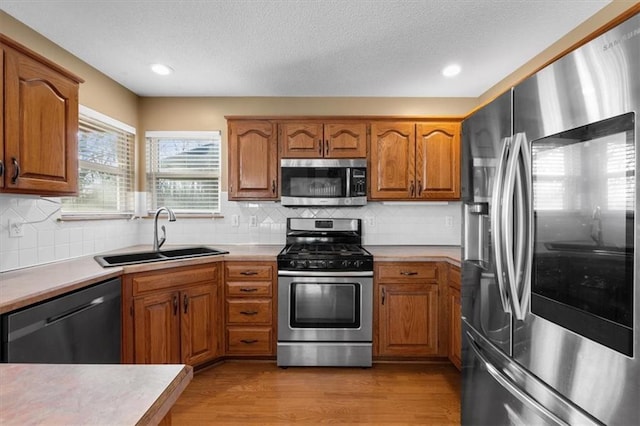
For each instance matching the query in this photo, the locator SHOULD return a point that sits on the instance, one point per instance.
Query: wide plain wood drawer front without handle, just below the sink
(159, 280)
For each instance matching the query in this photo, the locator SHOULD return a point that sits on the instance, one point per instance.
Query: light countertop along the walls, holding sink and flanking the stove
(27, 286)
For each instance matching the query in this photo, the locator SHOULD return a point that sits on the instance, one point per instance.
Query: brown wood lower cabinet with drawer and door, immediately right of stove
(408, 309)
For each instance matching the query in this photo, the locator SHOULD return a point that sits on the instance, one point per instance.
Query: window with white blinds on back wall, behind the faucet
(183, 171)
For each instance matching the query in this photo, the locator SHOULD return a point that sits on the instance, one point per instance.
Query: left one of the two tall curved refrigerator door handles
(496, 226)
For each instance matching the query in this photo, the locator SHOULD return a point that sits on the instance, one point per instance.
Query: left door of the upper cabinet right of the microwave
(392, 170)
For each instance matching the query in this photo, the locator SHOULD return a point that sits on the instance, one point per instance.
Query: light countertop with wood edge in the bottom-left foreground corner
(67, 394)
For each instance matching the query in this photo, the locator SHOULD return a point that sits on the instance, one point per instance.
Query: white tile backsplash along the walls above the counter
(46, 239)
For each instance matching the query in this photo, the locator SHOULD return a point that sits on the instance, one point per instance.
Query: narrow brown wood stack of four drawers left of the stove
(250, 308)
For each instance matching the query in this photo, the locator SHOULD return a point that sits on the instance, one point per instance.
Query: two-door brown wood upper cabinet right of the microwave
(411, 161)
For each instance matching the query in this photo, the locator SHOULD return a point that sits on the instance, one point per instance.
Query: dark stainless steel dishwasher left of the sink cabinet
(82, 327)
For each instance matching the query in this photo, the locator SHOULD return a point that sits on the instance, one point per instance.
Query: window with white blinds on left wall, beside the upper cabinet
(105, 167)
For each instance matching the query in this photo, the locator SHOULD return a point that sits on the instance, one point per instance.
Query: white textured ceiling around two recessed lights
(305, 47)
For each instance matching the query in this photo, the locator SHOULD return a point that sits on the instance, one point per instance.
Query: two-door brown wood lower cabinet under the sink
(174, 315)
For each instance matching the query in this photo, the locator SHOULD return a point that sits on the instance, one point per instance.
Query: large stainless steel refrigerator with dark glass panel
(550, 266)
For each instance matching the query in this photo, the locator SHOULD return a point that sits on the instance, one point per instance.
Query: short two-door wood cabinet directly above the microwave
(329, 140)
